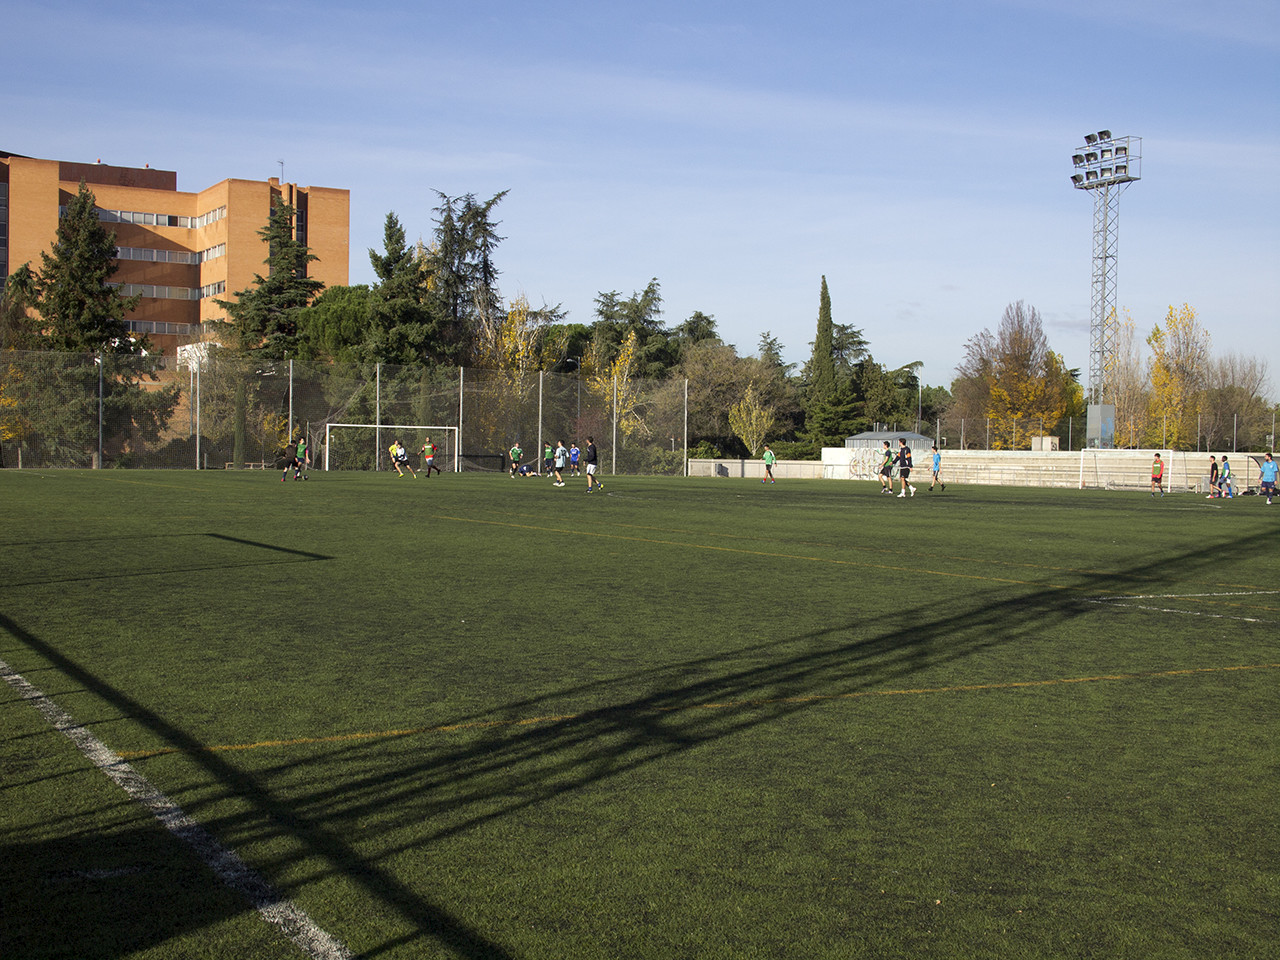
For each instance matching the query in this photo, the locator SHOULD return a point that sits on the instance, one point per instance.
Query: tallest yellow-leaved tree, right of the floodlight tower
(1180, 365)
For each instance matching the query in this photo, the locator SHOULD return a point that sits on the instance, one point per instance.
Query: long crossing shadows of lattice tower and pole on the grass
(445, 789)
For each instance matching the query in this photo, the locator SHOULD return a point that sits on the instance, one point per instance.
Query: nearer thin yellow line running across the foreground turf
(717, 706)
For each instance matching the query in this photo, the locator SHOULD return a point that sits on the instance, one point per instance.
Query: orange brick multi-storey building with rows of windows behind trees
(179, 250)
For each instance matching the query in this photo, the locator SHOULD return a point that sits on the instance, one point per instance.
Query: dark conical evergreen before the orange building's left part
(83, 313)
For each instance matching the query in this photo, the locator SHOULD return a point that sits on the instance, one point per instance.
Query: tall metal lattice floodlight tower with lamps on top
(1105, 166)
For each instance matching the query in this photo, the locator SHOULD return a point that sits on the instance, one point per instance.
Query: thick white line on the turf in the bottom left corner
(230, 868)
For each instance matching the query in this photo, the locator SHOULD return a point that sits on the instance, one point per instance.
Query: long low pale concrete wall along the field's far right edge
(1117, 470)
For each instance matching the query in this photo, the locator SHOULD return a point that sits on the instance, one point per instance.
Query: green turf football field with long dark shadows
(478, 717)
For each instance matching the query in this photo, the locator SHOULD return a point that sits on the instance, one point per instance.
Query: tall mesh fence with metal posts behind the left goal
(208, 409)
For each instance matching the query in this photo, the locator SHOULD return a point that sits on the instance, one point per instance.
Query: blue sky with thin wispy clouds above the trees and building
(916, 153)
